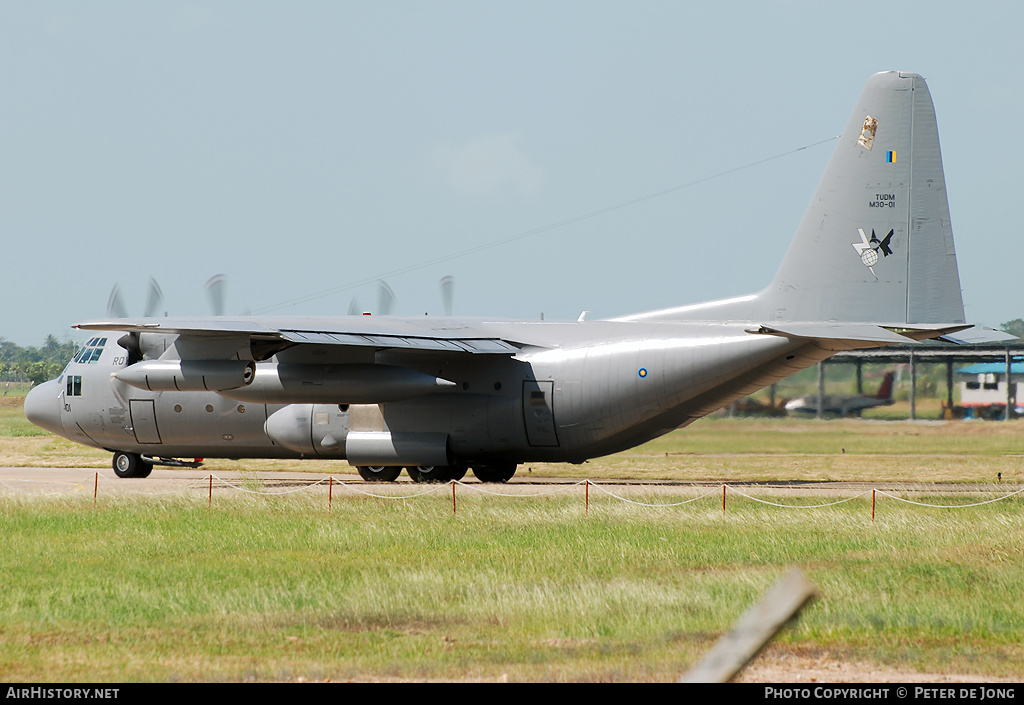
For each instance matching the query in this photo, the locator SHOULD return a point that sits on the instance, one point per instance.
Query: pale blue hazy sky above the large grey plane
(313, 148)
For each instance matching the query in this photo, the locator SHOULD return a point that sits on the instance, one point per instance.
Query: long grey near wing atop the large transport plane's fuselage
(440, 335)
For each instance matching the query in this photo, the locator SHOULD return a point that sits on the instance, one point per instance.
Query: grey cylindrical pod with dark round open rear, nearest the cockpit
(189, 376)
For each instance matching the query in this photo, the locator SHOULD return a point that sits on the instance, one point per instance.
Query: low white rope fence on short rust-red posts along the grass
(255, 487)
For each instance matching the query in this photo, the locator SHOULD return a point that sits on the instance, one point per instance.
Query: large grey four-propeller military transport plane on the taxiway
(439, 396)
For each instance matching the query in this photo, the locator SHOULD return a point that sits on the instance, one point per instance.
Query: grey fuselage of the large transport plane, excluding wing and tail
(581, 391)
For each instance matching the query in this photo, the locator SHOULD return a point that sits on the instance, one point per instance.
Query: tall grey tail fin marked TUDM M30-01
(876, 244)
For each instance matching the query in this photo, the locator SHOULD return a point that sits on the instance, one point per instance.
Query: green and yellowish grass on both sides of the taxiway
(275, 589)
